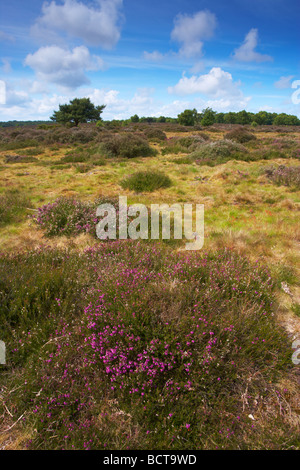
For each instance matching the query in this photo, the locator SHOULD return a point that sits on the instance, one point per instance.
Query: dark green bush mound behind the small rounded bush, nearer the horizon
(126, 146)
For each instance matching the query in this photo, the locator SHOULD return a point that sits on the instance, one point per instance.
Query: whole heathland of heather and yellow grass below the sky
(140, 344)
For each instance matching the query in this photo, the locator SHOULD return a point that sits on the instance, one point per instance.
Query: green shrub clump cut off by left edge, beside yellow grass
(13, 204)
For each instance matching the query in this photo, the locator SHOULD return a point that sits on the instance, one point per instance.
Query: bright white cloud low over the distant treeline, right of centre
(216, 84)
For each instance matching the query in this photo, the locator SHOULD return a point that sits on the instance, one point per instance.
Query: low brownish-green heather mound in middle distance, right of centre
(220, 151)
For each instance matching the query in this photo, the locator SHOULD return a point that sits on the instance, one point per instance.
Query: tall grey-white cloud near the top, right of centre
(191, 31)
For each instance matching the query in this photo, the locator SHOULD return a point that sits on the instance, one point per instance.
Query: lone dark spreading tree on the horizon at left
(78, 110)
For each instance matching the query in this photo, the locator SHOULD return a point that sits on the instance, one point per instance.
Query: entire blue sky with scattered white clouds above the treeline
(150, 58)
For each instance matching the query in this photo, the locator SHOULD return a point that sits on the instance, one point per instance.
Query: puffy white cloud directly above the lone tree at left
(63, 66)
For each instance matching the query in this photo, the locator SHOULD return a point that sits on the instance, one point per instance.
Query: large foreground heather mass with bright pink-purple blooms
(156, 354)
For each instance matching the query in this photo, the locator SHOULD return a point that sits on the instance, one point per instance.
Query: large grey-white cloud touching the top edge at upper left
(97, 25)
